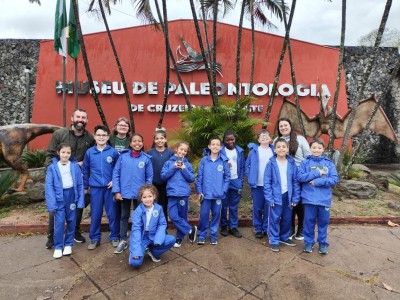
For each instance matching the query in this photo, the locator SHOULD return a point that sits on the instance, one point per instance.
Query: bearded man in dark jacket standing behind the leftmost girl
(80, 140)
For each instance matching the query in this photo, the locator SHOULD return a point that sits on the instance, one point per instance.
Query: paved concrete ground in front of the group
(363, 263)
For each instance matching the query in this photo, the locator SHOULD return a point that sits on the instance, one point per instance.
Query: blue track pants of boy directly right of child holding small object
(213, 205)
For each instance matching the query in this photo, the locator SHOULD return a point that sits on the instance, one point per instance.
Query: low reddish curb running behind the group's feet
(42, 228)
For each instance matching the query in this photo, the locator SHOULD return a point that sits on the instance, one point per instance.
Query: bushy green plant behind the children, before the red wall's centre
(202, 123)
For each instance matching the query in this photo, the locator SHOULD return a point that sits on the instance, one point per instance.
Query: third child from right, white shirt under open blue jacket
(256, 162)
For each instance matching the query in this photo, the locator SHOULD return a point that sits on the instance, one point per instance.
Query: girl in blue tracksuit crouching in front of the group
(149, 226)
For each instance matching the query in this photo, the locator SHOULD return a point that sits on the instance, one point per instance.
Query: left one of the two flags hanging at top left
(60, 29)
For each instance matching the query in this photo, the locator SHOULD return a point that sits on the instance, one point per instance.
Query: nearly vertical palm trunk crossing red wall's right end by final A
(338, 80)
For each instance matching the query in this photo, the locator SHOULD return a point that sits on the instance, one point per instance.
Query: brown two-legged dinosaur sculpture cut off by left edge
(13, 139)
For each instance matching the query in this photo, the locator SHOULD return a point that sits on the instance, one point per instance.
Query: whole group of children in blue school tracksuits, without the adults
(117, 178)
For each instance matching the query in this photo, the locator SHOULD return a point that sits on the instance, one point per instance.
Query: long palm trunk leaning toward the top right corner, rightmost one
(364, 82)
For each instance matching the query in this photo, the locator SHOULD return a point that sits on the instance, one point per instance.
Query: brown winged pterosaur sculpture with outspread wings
(320, 123)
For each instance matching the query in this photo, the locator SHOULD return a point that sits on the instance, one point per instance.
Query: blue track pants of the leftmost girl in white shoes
(66, 211)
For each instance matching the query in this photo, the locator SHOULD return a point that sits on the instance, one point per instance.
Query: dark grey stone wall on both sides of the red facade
(16, 55)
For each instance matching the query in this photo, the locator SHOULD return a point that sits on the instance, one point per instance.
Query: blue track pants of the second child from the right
(280, 221)
